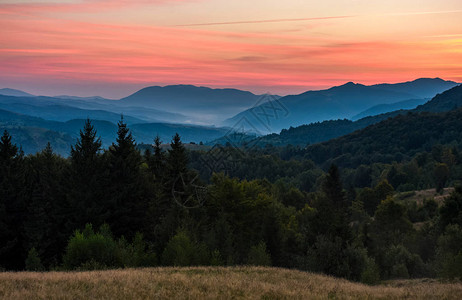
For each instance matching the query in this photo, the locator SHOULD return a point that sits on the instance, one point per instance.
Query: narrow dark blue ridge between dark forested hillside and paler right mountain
(323, 131)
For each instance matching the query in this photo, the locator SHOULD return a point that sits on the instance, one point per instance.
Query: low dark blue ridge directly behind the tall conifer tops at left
(32, 133)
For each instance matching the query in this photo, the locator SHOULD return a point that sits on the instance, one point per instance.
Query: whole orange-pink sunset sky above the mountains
(112, 48)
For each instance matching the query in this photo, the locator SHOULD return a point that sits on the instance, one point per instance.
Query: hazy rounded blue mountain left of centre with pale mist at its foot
(204, 104)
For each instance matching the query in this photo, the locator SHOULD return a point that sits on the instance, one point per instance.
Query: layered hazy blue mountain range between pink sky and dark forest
(38, 119)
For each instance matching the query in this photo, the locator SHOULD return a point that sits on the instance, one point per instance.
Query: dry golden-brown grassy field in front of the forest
(210, 283)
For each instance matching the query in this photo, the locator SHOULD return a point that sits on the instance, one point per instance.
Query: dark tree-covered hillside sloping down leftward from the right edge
(394, 139)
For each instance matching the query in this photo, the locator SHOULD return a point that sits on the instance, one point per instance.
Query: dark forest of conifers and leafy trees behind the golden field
(319, 208)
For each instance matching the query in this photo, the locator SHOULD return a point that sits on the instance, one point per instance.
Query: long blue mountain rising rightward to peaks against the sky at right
(339, 102)
